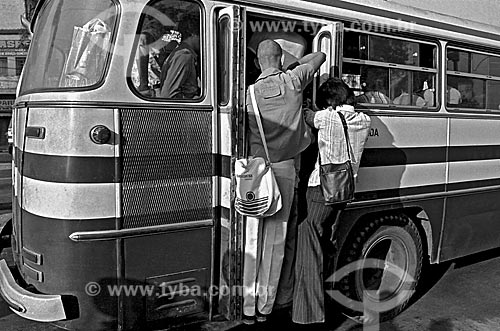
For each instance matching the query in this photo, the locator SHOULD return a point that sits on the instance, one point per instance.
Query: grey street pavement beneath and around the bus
(459, 296)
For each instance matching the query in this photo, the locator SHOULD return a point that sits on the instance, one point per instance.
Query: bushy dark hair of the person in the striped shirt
(334, 92)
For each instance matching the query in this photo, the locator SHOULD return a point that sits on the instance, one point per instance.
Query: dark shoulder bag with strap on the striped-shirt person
(337, 179)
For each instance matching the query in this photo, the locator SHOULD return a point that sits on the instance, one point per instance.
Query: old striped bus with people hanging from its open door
(123, 196)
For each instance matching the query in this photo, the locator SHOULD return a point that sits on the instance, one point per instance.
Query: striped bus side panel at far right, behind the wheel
(472, 219)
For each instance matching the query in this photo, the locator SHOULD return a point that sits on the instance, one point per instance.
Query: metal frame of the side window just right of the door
(407, 67)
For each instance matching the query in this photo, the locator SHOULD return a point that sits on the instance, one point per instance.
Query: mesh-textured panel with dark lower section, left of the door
(167, 171)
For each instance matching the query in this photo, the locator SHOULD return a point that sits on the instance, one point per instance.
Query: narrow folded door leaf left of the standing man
(230, 66)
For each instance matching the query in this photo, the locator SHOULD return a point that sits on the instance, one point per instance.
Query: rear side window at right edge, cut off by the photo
(472, 80)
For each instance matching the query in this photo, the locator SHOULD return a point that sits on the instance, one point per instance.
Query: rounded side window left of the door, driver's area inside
(167, 59)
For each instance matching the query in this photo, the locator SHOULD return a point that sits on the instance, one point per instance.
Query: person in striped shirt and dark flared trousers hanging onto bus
(316, 234)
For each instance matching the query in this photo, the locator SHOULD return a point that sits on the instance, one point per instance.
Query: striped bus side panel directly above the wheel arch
(406, 157)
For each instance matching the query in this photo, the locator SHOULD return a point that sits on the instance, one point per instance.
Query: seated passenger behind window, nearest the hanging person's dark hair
(373, 87)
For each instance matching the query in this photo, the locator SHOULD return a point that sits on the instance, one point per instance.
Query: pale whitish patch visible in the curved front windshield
(87, 54)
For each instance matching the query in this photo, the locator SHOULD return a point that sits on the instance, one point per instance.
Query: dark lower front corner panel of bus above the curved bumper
(81, 272)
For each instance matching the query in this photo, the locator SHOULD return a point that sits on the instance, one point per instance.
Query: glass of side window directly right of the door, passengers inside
(410, 80)
